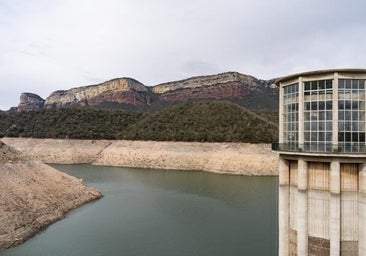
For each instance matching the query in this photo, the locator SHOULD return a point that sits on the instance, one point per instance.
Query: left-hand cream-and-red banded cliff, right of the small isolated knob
(120, 90)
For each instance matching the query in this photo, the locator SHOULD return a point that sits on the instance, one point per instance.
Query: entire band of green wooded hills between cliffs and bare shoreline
(212, 121)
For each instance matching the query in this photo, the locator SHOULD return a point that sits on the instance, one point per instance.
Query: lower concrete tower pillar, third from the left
(335, 208)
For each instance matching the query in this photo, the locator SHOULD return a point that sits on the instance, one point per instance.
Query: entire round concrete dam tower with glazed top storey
(322, 163)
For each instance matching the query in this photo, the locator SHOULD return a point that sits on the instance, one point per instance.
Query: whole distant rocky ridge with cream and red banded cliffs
(130, 94)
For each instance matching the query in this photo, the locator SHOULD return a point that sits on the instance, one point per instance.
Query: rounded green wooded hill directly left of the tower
(205, 121)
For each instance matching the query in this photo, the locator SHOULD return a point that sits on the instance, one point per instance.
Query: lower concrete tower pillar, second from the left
(302, 209)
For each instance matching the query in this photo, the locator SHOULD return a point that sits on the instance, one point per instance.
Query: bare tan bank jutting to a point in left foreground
(34, 195)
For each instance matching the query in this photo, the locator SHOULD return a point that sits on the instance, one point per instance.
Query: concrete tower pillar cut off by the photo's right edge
(362, 211)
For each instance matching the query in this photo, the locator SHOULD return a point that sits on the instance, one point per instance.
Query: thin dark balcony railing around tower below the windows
(348, 148)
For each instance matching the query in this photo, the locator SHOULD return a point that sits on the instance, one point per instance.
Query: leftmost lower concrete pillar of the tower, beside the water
(283, 207)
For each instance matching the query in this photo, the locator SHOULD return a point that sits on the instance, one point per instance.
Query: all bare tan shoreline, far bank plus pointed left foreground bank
(33, 195)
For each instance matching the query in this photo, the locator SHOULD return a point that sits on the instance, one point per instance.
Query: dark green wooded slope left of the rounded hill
(73, 123)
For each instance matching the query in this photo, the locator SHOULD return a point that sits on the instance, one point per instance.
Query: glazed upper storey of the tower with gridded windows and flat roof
(323, 111)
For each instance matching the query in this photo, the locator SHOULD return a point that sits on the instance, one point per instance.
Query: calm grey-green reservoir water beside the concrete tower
(159, 212)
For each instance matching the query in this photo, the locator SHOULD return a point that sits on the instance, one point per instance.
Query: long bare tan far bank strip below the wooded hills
(224, 158)
